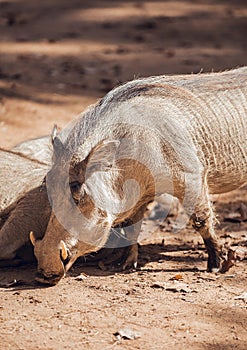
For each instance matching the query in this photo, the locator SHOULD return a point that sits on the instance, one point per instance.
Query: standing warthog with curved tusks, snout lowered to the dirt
(181, 135)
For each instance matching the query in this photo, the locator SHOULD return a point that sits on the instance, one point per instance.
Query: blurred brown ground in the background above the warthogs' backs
(59, 56)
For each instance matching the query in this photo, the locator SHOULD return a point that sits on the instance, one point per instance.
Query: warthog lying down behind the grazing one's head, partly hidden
(24, 204)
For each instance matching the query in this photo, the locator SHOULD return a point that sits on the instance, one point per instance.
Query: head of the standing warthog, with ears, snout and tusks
(79, 192)
